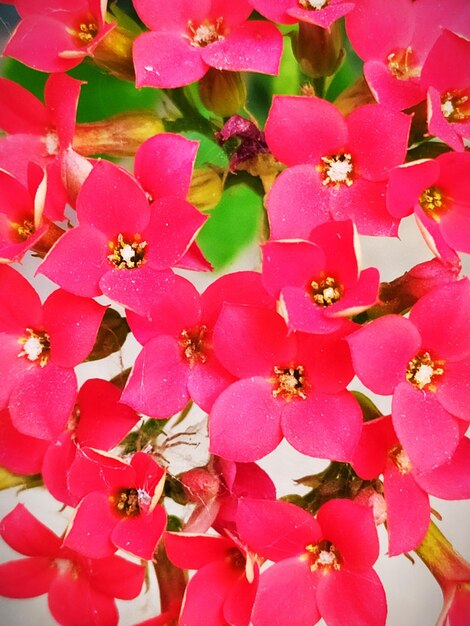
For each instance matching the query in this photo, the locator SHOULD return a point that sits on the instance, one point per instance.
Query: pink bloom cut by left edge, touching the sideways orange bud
(39, 132)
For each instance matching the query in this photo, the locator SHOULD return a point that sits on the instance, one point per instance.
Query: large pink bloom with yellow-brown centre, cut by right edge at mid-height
(423, 361)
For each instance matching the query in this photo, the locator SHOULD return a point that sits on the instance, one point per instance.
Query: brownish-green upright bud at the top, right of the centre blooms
(319, 51)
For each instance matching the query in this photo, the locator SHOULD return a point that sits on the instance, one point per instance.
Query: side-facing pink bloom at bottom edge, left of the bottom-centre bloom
(224, 586)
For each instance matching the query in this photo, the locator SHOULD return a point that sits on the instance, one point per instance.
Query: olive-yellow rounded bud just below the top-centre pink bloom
(223, 93)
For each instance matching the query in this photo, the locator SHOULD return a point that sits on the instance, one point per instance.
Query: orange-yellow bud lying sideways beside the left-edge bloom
(120, 135)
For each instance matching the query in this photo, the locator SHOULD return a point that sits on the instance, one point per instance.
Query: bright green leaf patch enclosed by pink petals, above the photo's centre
(232, 225)
